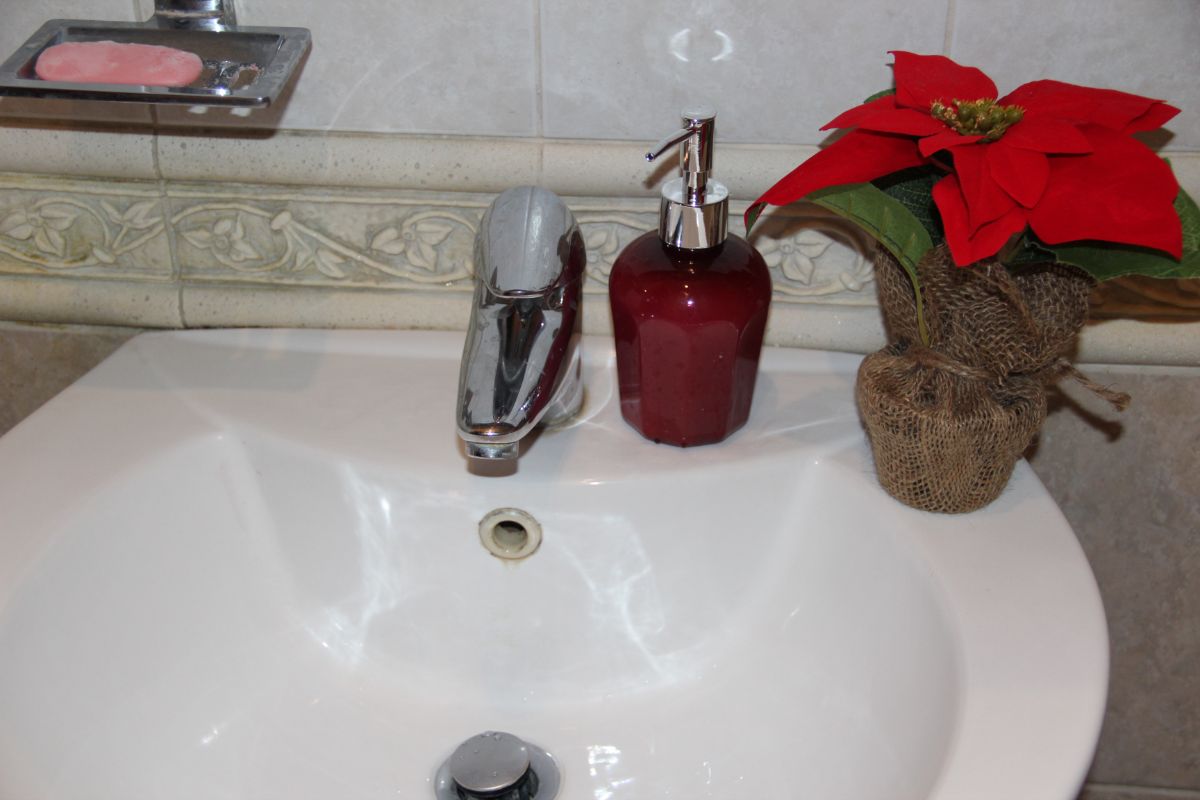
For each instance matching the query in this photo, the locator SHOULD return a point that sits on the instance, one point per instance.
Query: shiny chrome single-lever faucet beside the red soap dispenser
(521, 362)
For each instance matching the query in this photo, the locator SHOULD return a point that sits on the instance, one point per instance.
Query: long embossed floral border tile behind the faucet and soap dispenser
(427, 242)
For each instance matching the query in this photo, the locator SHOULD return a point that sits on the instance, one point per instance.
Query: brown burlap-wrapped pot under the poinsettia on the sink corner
(949, 419)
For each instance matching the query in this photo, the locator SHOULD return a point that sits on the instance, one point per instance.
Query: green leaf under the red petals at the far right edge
(1107, 261)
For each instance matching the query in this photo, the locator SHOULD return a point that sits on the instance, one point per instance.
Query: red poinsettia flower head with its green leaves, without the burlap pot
(1048, 173)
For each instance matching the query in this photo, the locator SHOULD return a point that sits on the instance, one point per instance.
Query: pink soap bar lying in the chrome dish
(121, 63)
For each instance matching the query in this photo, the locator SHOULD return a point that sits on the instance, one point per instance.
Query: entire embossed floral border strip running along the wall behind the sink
(395, 240)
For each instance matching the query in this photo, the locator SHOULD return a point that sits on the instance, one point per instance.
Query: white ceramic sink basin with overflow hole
(248, 564)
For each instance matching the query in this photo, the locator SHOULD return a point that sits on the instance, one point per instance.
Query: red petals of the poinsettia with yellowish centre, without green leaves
(1051, 157)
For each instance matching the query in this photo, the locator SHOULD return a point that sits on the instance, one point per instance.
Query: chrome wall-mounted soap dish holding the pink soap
(247, 68)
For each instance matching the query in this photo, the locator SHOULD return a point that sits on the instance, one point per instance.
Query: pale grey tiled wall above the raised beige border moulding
(778, 69)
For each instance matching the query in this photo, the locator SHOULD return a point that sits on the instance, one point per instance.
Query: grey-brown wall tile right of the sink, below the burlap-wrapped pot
(1131, 490)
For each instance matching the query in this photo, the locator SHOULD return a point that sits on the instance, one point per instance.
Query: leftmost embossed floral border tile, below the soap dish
(85, 228)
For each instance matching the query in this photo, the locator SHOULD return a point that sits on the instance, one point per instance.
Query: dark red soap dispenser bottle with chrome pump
(689, 306)
